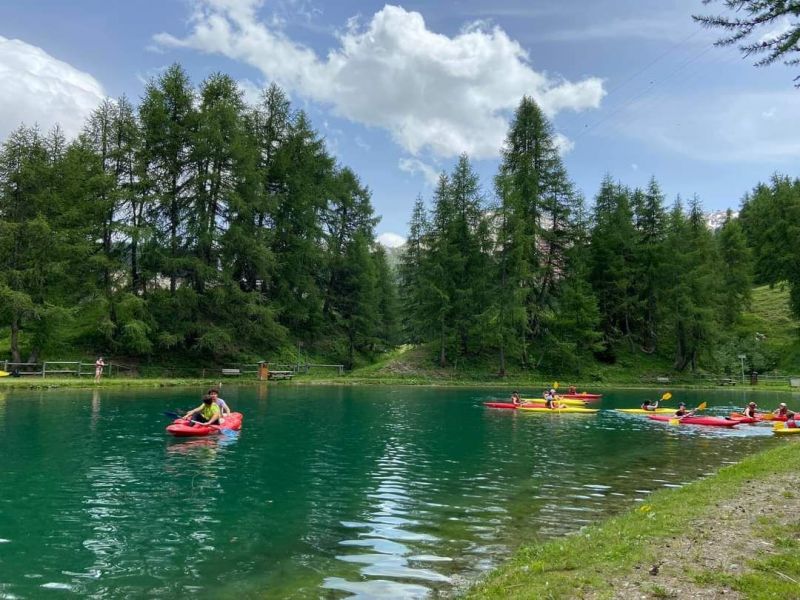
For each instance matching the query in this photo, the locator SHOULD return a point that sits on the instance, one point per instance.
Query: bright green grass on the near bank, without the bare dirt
(590, 562)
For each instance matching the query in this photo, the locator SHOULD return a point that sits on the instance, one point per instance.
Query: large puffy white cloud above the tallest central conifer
(433, 93)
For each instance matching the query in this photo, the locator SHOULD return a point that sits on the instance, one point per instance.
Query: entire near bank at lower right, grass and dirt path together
(734, 534)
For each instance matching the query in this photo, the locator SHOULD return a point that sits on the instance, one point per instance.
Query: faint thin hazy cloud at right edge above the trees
(726, 126)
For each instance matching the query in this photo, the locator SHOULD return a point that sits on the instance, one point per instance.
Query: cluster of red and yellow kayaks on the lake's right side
(576, 403)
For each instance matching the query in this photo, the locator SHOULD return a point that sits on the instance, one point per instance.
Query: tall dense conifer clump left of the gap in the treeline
(195, 225)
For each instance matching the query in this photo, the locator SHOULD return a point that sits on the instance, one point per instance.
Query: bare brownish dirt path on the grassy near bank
(719, 546)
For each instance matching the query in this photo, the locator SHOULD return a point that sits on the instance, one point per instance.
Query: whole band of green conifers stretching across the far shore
(196, 225)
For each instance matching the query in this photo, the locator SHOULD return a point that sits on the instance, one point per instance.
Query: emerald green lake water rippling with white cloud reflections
(327, 492)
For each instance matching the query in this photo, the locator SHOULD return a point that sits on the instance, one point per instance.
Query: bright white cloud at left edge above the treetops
(40, 89)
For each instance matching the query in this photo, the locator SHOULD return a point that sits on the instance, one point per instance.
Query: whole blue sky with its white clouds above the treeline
(633, 87)
